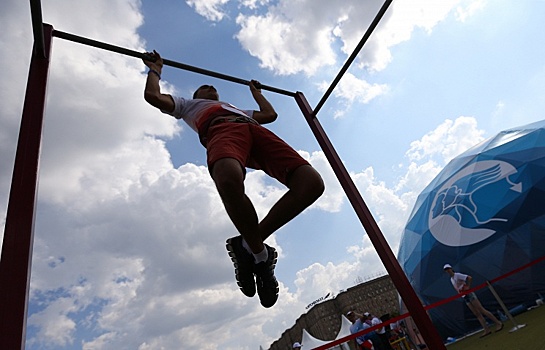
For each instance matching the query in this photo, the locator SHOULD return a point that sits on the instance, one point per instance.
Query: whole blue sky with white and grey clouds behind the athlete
(129, 244)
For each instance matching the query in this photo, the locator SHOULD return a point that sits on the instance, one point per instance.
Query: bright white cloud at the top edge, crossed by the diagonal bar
(300, 36)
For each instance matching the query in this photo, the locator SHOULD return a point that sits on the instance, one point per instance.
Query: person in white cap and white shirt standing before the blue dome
(462, 283)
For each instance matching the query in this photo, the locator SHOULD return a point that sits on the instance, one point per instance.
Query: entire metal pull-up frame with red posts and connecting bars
(16, 259)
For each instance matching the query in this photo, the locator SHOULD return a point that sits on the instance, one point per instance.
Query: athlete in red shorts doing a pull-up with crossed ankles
(235, 140)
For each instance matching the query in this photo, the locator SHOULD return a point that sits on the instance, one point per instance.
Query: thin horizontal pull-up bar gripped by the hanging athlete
(128, 52)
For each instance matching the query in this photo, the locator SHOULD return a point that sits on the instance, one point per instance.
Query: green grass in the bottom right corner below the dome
(530, 337)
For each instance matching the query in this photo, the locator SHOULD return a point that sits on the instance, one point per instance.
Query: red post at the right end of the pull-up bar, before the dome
(427, 330)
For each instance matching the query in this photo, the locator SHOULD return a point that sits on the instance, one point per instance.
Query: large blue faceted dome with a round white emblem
(485, 215)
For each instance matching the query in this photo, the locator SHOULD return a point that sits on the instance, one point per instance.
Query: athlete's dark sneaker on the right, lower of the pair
(267, 285)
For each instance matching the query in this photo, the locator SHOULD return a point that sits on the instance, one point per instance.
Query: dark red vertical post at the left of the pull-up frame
(15, 263)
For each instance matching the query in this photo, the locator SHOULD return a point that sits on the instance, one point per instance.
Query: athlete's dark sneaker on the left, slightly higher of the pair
(244, 265)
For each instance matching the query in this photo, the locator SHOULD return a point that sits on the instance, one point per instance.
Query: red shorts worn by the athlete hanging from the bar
(254, 147)
